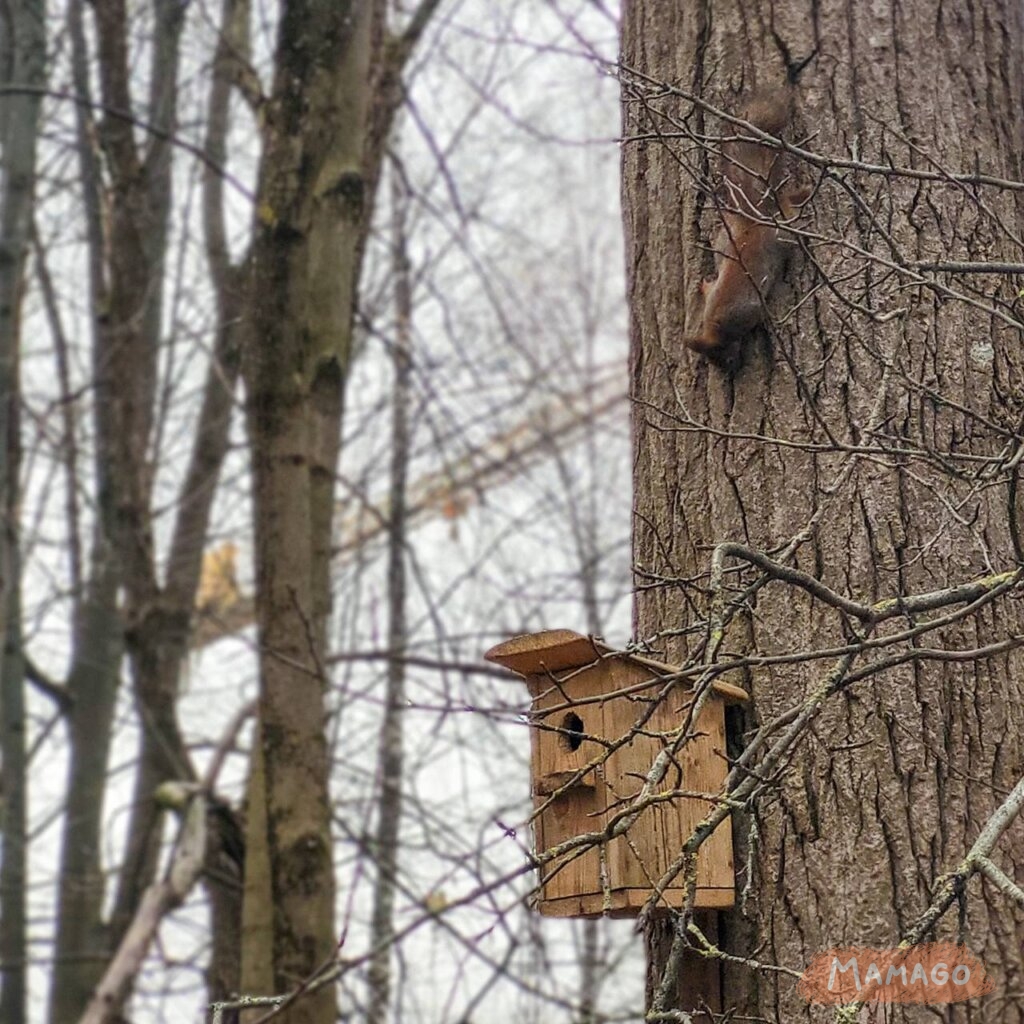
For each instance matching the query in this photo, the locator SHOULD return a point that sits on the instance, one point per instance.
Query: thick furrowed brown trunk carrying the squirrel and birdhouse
(870, 438)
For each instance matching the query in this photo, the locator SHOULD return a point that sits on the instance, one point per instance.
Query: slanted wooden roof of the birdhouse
(564, 651)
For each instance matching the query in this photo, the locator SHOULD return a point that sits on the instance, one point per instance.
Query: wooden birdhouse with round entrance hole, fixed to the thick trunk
(602, 717)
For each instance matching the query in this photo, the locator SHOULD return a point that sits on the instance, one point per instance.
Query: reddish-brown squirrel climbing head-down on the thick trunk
(751, 252)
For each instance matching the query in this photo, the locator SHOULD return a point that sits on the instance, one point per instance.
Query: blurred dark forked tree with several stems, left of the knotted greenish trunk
(127, 243)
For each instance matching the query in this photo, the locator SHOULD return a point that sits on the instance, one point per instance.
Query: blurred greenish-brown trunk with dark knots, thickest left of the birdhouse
(337, 86)
